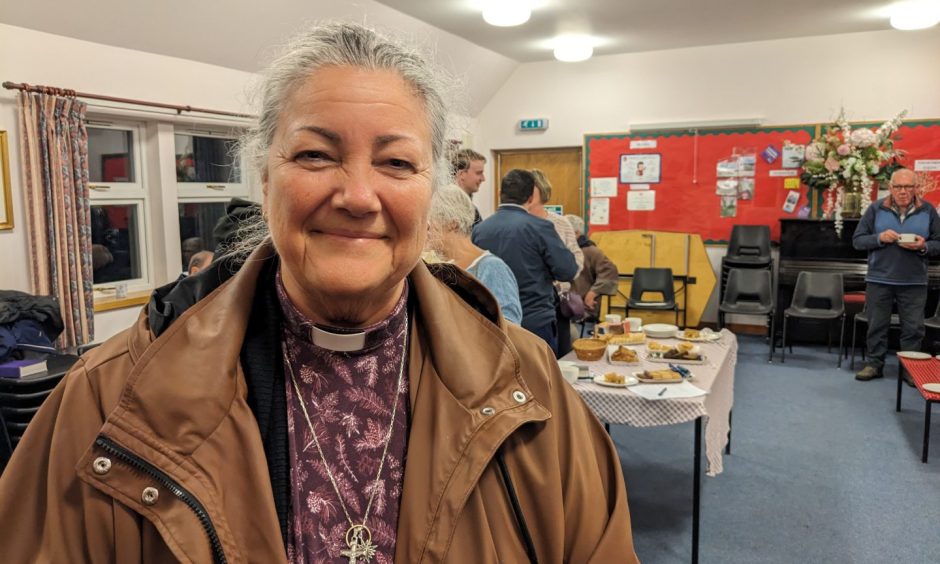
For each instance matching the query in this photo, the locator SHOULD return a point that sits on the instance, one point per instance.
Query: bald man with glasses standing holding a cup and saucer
(899, 232)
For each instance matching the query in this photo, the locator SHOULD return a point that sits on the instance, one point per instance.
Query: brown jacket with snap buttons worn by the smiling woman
(171, 414)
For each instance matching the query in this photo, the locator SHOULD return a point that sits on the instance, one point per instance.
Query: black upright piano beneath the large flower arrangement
(812, 245)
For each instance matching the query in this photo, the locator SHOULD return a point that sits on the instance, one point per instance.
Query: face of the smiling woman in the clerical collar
(347, 192)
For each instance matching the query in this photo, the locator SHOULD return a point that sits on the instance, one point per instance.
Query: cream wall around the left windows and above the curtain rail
(40, 58)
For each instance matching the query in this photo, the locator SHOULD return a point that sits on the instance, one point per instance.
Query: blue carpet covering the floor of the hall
(822, 470)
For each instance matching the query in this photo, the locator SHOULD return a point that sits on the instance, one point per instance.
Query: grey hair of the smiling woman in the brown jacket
(336, 45)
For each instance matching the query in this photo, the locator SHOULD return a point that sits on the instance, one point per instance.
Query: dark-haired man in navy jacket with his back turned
(533, 251)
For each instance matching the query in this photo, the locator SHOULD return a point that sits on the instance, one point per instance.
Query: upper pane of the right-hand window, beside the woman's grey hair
(208, 164)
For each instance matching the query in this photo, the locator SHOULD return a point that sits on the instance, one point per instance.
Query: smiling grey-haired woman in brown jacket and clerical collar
(262, 411)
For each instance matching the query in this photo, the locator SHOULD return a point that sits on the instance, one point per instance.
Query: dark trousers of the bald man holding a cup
(879, 299)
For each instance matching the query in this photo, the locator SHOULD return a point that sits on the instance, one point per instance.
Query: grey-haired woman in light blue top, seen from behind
(451, 222)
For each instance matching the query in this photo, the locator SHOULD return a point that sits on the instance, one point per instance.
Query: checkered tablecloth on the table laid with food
(622, 407)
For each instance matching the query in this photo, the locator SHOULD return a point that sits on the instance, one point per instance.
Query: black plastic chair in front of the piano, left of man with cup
(817, 296)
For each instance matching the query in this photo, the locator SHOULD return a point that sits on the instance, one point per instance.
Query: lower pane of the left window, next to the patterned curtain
(116, 243)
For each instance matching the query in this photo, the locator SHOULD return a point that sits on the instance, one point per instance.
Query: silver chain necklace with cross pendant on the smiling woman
(358, 536)
